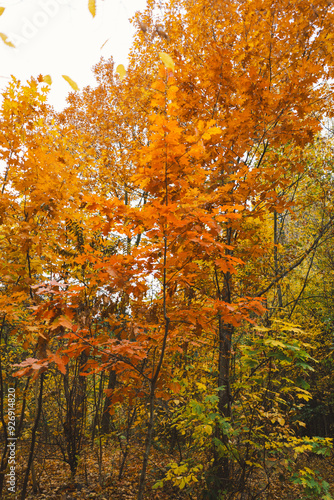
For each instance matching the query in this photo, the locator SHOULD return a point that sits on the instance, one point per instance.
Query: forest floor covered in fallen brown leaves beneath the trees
(52, 478)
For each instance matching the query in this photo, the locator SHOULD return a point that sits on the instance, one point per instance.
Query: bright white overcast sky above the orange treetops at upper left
(60, 37)
